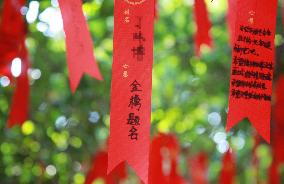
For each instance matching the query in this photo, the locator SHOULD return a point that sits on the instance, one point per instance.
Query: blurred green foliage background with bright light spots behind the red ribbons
(190, 98)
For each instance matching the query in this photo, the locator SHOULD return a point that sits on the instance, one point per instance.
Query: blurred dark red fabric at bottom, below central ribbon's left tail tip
(99, 170)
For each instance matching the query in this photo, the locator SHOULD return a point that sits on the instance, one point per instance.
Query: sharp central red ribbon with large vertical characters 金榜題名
(132, 85)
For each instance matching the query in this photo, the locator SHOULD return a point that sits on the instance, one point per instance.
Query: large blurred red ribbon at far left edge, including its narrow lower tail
(12, 37)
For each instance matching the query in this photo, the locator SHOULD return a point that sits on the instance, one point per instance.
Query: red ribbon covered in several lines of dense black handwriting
(252, 65)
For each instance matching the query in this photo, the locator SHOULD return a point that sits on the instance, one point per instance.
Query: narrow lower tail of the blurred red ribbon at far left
(20, 102)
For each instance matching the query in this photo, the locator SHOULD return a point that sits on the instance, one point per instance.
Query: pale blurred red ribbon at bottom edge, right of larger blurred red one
(198, 169)
